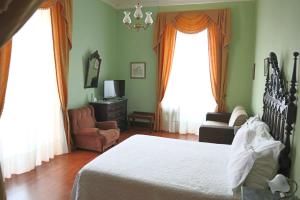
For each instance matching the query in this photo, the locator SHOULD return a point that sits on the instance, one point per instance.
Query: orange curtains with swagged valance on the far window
(218, 24)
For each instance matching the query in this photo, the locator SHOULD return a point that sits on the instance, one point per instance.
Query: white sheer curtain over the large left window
(31, 126)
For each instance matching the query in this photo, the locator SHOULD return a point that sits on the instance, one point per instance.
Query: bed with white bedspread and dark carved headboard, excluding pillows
(153, 168)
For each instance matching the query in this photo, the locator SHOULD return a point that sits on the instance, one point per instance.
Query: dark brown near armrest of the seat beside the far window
(216, 134)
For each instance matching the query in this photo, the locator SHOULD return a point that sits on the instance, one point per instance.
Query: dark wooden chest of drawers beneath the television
(112, 110)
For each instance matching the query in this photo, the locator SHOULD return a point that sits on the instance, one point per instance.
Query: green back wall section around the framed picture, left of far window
(136, 46)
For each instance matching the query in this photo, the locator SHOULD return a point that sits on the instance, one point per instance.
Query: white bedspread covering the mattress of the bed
(153, 168)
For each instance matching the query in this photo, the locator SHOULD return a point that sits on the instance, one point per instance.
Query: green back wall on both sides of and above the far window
(137, 46)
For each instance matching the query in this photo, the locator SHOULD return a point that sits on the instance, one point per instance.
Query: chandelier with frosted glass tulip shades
(138, 15)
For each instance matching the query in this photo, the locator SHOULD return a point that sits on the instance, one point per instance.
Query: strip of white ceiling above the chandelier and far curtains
(119, 4)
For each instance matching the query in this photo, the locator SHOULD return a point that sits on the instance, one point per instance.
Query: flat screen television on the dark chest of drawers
(114, 89)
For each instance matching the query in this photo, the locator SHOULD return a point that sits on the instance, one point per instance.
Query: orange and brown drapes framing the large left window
(61, 16)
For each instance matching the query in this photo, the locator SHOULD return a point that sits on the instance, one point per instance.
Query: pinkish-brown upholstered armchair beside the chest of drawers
(89, 134)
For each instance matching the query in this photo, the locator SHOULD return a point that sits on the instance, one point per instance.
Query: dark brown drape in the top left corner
(13, 15)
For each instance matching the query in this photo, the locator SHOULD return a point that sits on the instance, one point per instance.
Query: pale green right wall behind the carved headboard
(278, 30)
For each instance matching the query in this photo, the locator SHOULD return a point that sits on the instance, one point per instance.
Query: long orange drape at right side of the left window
(61, 17)
